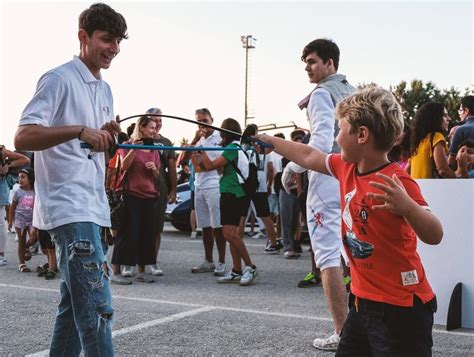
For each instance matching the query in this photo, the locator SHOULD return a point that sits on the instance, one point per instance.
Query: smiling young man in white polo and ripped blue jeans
(72, 104)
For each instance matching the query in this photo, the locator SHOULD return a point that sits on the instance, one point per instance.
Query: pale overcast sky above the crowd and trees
(181, 56)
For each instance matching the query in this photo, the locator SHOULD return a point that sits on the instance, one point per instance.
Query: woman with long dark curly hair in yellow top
(428, 147)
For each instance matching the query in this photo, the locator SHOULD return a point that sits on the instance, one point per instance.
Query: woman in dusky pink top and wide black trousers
(135, 243)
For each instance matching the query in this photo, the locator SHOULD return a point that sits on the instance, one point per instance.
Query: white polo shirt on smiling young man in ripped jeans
(69, 186)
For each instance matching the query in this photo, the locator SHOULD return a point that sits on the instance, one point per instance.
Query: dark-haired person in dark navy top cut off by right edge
(464, 131)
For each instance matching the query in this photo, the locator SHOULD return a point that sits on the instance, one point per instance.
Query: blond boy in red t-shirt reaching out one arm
(383, 213)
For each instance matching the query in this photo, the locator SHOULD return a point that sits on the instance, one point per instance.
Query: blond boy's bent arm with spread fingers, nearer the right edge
(396, 200)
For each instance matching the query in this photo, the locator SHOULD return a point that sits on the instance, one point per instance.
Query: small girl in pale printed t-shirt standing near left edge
(21, 215)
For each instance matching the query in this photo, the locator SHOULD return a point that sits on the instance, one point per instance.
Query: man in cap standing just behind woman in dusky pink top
(166, 183)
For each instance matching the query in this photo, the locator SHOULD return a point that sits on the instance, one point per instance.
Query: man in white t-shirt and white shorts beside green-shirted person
(207, 196)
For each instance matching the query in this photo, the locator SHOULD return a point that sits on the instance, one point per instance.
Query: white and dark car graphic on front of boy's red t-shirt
(358, 248)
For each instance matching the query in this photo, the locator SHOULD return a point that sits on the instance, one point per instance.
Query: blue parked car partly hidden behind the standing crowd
(178, 213)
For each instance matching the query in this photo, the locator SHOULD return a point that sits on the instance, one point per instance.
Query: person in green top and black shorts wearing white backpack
(232, 204)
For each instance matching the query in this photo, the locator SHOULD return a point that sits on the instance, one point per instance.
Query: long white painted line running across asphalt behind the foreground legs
(224, 308)
